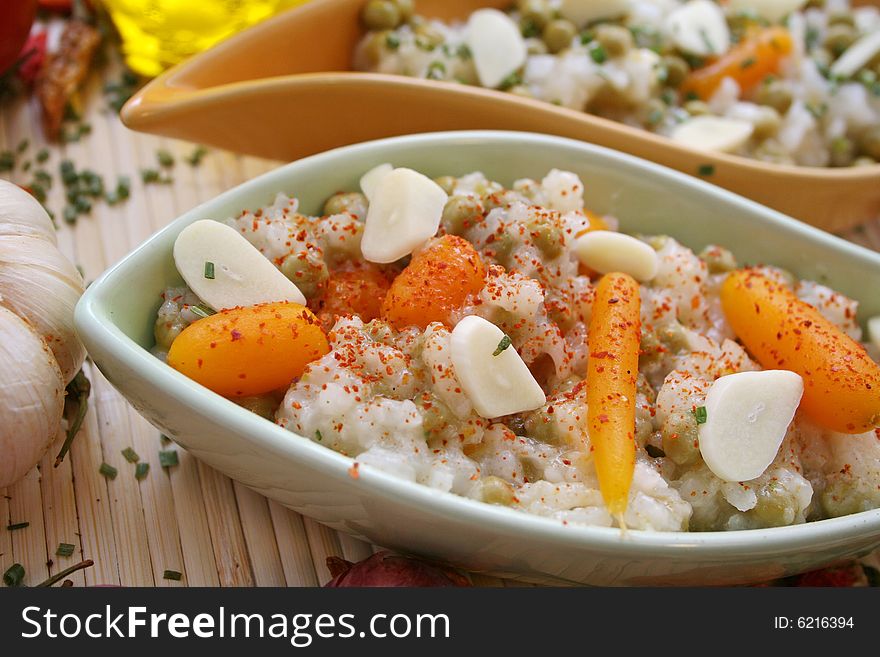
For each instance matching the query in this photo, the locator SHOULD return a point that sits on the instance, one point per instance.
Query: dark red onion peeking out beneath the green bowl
(384, 569)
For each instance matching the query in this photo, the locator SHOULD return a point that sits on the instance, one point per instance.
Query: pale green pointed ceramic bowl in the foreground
(115, 320)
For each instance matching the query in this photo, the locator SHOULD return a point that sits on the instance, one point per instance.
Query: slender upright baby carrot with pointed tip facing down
(612, 370)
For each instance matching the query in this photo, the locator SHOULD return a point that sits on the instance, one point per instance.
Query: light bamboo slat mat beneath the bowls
(187, 518)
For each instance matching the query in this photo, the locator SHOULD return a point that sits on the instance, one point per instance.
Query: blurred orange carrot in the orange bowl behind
(754, 58)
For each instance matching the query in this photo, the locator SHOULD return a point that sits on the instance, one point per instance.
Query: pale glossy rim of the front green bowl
(91, 321)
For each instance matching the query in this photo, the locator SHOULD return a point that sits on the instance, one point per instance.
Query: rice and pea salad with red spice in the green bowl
(403, 374)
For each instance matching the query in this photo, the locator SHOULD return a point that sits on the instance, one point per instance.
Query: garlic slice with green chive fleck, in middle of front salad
(490, 370)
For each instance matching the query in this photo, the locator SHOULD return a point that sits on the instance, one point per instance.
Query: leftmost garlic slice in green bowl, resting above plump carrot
(242, 276)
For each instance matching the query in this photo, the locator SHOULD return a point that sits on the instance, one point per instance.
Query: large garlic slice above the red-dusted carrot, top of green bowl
(404, 213)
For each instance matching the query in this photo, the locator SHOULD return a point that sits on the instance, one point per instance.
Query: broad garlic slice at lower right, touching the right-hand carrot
(747, 416)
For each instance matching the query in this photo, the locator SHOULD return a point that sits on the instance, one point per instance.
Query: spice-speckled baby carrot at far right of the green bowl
(841, 382)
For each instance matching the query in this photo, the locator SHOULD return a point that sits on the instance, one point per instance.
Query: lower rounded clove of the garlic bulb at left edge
(32, 400)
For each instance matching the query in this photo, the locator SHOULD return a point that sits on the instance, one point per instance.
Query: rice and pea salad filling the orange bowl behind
(793, 82)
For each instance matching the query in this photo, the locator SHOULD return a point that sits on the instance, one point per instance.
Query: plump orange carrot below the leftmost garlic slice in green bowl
(249, 351)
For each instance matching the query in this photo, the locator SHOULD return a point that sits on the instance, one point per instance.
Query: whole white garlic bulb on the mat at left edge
(39, 350)
